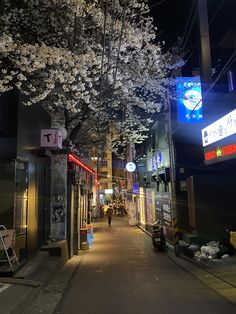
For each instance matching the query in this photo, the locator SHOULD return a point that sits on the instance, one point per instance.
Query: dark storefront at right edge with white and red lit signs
(211, 197)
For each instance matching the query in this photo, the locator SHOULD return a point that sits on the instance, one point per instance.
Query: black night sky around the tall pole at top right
(179, 18)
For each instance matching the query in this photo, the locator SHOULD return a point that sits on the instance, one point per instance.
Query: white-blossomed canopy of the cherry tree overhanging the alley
(94, 65)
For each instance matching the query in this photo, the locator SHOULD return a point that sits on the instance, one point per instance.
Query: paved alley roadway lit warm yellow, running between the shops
(122, 274)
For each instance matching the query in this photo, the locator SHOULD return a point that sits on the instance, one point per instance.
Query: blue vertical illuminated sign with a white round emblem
(189, 99)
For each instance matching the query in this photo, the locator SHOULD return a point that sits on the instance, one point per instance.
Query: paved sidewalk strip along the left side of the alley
(38, 286)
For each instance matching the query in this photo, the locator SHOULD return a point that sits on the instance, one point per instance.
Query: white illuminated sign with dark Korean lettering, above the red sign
(219, 129)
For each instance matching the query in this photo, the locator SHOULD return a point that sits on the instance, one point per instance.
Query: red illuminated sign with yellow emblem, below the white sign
(224, 152)
